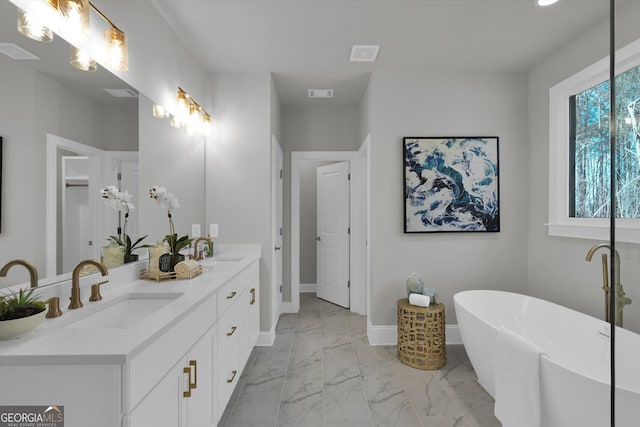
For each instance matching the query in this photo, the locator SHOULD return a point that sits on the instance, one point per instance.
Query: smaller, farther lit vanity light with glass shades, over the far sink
(188, 115)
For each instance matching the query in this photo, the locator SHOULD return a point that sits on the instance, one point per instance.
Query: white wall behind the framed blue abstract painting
(445, 104)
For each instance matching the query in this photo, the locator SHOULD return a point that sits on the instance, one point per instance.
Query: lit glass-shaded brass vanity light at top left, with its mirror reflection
(73, 24)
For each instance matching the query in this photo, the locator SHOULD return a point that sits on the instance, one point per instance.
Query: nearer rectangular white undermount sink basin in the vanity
(125, 312)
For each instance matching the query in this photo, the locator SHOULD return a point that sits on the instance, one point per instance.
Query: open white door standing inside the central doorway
(332, 281)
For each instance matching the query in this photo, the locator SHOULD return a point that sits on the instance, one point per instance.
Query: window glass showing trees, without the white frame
(589, 150)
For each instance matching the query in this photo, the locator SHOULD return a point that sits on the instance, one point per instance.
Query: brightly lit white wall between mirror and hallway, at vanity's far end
(238, 187)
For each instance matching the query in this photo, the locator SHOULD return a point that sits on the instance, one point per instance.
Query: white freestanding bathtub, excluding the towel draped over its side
(574, 373)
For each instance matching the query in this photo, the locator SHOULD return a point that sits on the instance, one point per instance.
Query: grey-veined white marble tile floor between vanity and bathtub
(321, 372)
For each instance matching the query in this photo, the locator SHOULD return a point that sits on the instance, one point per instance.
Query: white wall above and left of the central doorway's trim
(312, 129)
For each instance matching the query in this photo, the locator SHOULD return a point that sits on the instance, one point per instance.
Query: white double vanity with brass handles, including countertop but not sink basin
(175, 369)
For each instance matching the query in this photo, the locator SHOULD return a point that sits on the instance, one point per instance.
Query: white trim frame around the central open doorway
(357, 249)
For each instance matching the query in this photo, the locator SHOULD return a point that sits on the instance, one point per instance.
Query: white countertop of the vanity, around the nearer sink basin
(51, 343)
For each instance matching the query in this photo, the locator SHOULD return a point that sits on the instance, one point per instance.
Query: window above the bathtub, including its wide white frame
(579, 151)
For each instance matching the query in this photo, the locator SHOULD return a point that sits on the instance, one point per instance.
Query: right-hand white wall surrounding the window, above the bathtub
(557, 269)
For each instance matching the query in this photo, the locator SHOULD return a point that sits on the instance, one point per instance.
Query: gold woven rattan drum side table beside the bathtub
(421, 337)
